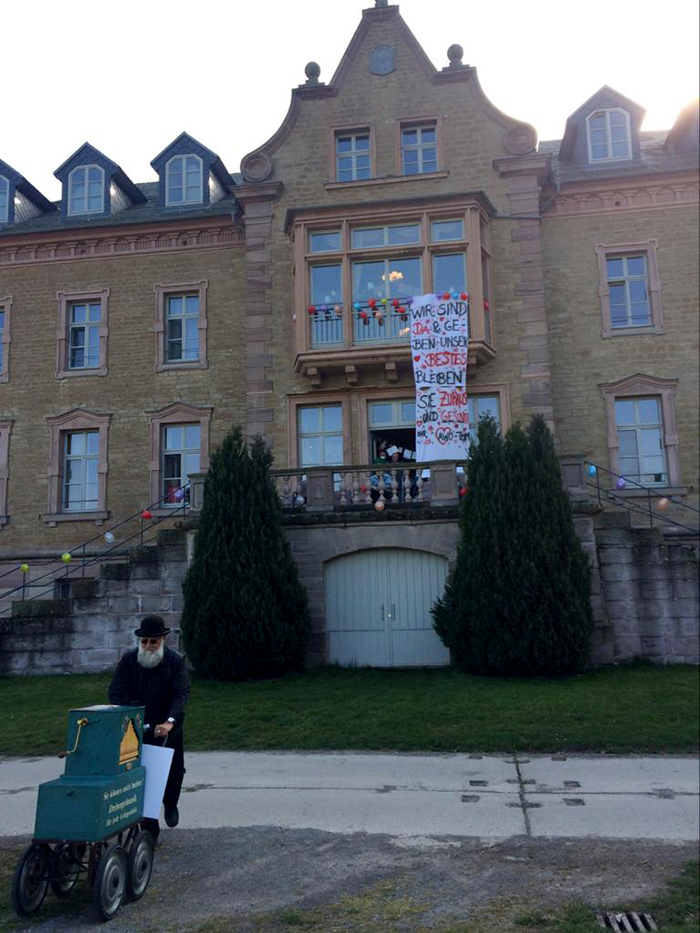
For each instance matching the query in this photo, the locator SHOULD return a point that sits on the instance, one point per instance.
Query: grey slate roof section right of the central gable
(654, 158)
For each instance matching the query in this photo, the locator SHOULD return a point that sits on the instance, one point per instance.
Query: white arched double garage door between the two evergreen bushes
(378, 608)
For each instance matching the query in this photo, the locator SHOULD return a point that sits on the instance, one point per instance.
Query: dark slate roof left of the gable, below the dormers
(149, 212)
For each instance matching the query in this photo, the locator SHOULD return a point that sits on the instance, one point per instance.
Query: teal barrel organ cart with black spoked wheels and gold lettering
(89, 820)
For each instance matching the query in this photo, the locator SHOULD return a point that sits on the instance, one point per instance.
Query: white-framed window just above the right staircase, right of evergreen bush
(640, 433)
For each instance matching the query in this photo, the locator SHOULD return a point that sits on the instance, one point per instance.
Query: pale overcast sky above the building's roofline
(129, 77)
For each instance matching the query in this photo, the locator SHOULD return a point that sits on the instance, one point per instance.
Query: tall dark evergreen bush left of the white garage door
(245, 612)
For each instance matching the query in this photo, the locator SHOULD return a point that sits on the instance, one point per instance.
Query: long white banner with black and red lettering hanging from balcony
(439, 344)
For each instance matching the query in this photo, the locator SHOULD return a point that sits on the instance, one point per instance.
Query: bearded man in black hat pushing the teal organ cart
(155, 676)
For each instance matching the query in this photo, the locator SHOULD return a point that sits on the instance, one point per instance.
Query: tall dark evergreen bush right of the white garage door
(518, 600)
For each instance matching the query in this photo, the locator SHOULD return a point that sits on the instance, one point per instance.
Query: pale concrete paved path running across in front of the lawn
(414, 796)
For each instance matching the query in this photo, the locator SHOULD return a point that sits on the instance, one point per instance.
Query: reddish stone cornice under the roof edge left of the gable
(108, 242)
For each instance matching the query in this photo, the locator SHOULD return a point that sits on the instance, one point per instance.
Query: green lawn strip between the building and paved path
(638, 708)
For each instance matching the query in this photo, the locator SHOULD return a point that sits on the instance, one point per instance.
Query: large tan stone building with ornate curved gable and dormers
(222, 299)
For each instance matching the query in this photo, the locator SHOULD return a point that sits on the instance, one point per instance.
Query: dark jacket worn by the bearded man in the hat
(163, 690)
